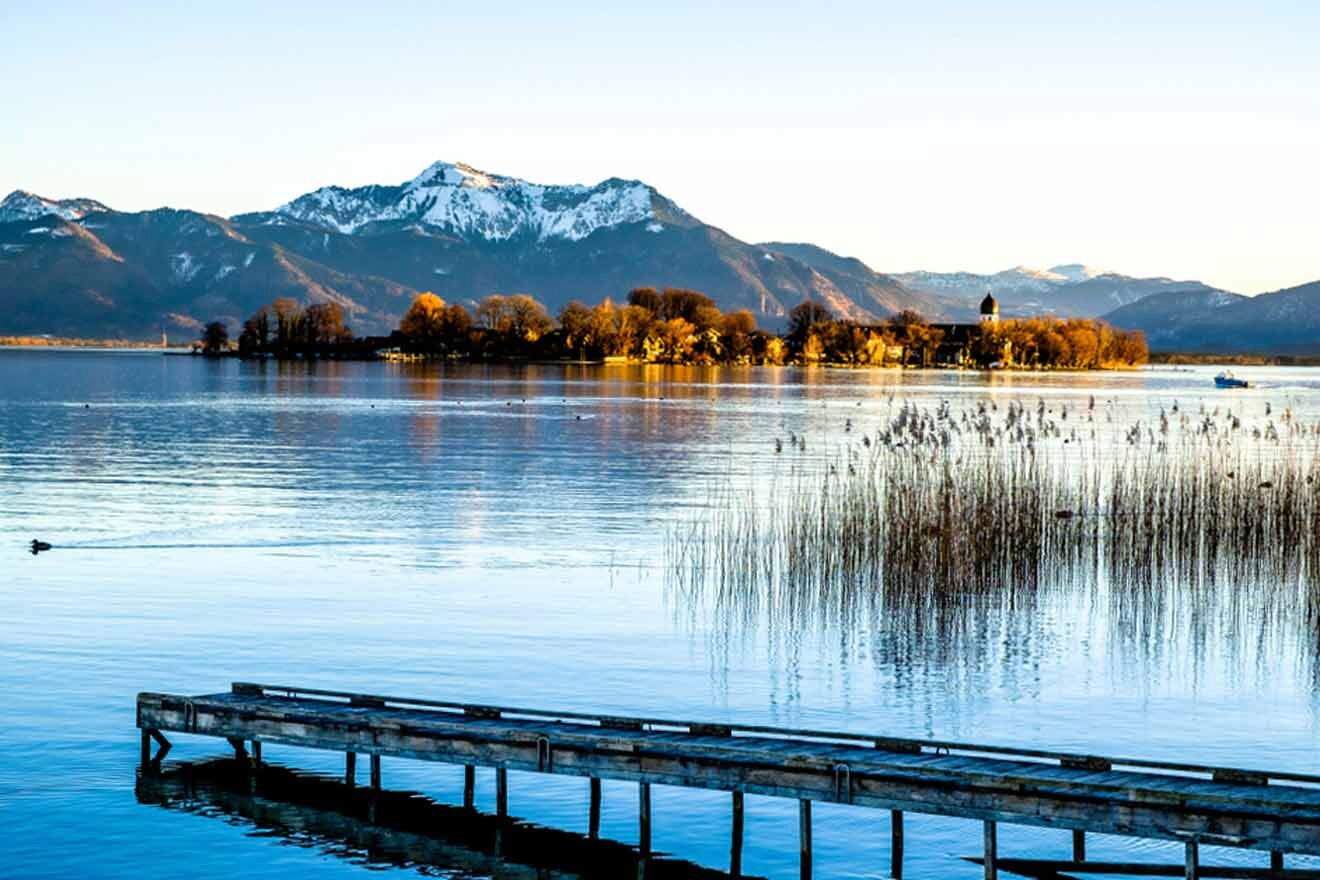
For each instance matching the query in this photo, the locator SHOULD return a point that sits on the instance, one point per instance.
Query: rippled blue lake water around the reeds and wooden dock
(500, 535)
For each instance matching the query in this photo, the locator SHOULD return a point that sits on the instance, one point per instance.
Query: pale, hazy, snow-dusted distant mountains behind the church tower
(1071, 290)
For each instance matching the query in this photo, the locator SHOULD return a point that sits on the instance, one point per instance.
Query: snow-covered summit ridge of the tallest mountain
(464, 201)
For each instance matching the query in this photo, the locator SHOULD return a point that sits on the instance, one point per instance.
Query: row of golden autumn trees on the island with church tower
(676, 327)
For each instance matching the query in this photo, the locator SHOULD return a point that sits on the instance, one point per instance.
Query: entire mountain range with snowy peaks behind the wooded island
(80, 268)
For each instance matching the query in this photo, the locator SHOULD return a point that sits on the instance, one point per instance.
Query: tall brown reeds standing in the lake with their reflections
(976, 540)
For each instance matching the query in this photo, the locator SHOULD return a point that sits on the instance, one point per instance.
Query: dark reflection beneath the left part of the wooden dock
(397, 829)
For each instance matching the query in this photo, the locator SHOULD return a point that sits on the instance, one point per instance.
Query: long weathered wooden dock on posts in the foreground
(1277, 813)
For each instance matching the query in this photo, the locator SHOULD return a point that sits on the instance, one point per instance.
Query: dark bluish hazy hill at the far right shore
(1281, 323)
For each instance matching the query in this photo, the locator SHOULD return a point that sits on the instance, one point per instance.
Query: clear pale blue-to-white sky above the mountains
(1171, 138)
